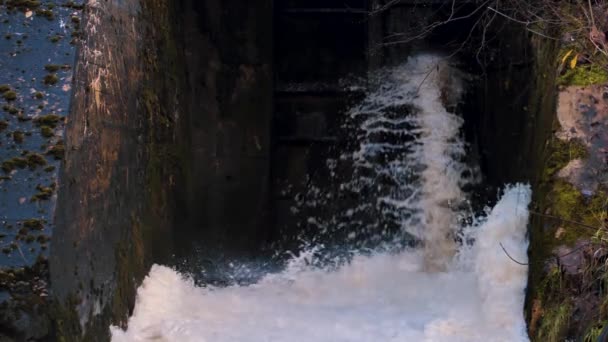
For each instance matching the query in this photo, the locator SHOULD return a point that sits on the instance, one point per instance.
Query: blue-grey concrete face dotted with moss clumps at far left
(37, 51)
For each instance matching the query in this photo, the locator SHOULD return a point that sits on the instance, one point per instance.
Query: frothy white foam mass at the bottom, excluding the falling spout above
(376, 298)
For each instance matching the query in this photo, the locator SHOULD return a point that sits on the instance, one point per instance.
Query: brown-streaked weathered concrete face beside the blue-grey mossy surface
(121, 166)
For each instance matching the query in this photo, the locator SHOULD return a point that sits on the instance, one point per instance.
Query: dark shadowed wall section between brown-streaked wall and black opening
(228, 52)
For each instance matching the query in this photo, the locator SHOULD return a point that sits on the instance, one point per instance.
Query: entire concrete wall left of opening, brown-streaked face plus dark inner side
(167, 140)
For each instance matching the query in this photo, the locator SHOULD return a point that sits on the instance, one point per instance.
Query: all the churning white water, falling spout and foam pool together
(458, 284)
